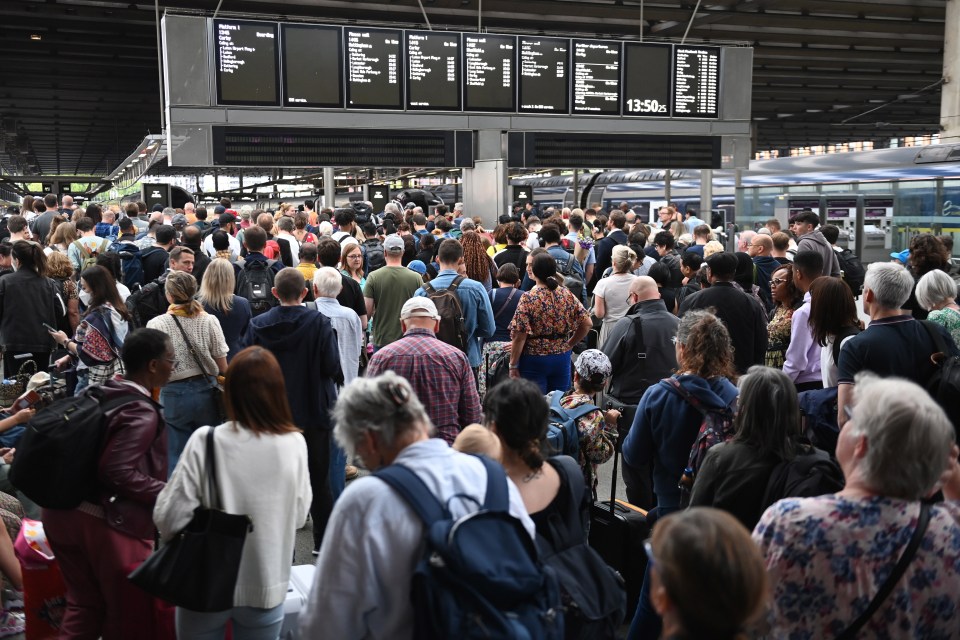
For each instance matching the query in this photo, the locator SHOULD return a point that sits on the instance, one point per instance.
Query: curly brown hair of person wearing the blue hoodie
(707, 348)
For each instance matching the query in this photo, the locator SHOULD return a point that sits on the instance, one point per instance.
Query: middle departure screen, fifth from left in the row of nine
(489, 72)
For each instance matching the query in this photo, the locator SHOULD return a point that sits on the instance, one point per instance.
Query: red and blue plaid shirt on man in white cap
(439, 374)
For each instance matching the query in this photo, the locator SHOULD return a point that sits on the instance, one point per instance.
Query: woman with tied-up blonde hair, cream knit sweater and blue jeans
(200, 354)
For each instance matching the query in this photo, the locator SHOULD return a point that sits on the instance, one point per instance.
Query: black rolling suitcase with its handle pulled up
(618, 530)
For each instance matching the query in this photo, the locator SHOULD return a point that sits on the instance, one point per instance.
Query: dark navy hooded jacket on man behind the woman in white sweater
(305, 344)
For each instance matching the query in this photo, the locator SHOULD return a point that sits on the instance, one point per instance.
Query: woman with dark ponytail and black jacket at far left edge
(28, 300)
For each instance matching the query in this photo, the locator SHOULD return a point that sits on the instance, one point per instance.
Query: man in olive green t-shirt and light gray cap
(386, 290)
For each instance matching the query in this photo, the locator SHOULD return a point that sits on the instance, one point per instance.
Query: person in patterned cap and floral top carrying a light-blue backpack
(598, 429)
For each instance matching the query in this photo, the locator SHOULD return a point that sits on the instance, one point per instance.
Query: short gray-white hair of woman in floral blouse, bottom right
(909, 437)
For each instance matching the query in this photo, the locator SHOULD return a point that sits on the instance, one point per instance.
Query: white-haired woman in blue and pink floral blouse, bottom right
(835, 561)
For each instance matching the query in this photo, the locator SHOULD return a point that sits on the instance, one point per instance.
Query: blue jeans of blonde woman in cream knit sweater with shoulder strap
(187, 406)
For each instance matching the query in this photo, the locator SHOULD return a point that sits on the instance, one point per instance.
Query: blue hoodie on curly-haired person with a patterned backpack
(666, 427)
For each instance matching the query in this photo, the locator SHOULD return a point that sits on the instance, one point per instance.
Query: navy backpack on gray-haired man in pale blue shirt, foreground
(480, 575)
